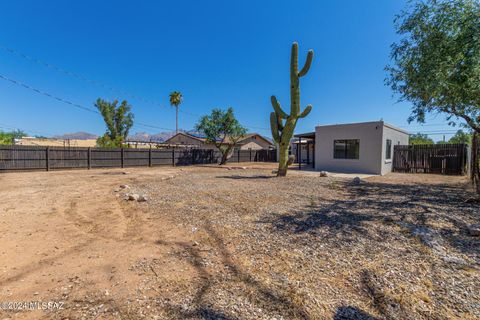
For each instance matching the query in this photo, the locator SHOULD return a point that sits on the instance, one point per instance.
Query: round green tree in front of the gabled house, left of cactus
(223, 130)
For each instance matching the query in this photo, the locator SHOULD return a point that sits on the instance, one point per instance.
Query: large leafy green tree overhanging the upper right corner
(436, 64)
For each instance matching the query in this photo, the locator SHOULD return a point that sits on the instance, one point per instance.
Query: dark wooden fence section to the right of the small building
(435, 158)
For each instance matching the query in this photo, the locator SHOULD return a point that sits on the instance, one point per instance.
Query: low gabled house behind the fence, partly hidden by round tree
(252, 141)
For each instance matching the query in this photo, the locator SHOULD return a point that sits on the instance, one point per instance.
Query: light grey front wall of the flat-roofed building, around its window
(370, 149)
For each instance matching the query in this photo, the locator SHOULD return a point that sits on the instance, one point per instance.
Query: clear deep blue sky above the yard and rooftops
(217, 53)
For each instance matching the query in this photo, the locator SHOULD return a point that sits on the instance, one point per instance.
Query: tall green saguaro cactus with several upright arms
(282, 131)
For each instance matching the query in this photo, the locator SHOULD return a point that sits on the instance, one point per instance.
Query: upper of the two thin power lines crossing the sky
(96, 82)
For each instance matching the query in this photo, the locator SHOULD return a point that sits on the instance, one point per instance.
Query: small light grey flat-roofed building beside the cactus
(365, 147)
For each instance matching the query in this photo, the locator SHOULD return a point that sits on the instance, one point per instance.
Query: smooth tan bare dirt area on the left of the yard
(67, 236)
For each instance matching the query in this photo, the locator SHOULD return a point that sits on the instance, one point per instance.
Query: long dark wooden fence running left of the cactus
(51, 158)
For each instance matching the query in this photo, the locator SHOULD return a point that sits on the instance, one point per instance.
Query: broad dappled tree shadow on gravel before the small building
(420, 205)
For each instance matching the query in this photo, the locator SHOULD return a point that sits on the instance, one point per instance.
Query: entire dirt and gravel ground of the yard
(213, 243)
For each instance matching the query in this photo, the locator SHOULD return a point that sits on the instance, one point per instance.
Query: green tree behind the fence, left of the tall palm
(118, 120)
